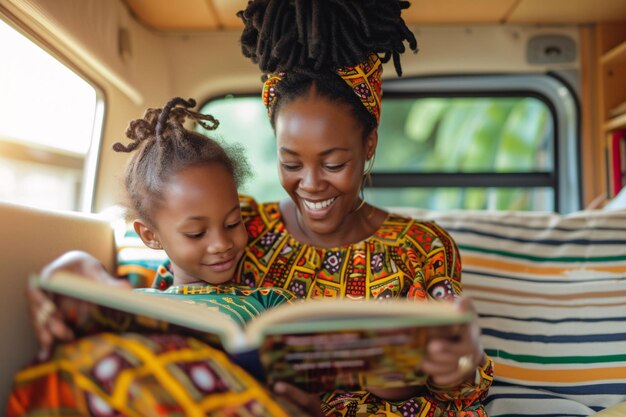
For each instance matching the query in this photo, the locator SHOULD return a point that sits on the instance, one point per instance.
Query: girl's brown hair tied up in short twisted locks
(165, 147)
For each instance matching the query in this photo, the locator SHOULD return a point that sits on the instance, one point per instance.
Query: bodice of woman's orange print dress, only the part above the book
(403, 258)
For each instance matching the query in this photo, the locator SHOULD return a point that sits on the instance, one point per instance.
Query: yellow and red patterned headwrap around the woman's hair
(365, 79)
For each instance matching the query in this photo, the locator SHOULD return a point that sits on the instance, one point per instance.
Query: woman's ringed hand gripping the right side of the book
(453, 353)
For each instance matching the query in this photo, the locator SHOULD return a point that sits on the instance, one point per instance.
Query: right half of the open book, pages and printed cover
(325, 345)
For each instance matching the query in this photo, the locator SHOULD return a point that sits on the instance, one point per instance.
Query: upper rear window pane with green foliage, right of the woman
(465, 134)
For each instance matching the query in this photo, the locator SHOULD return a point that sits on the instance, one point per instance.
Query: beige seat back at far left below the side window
(29, 239)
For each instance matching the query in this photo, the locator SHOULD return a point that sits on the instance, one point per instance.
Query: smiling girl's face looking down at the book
(199, 225)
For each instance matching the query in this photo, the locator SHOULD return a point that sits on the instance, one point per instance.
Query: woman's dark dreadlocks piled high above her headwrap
(308, 39)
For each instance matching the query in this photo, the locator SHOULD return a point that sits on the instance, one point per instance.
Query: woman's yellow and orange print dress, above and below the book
(403, 258)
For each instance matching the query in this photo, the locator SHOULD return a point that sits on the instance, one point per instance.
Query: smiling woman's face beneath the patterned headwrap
(321, 156)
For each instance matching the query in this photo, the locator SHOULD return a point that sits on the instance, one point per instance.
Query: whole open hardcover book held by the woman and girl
(317, 345)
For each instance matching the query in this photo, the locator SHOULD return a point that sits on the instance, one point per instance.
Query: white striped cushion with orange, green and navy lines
(551, 295)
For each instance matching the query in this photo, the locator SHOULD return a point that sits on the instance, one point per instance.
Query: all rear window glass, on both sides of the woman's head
(424, 136)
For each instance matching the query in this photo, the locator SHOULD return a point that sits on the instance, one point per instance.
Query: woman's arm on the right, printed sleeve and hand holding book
(454, 359)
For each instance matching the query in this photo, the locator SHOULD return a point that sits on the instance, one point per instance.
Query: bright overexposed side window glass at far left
(48, 116)
